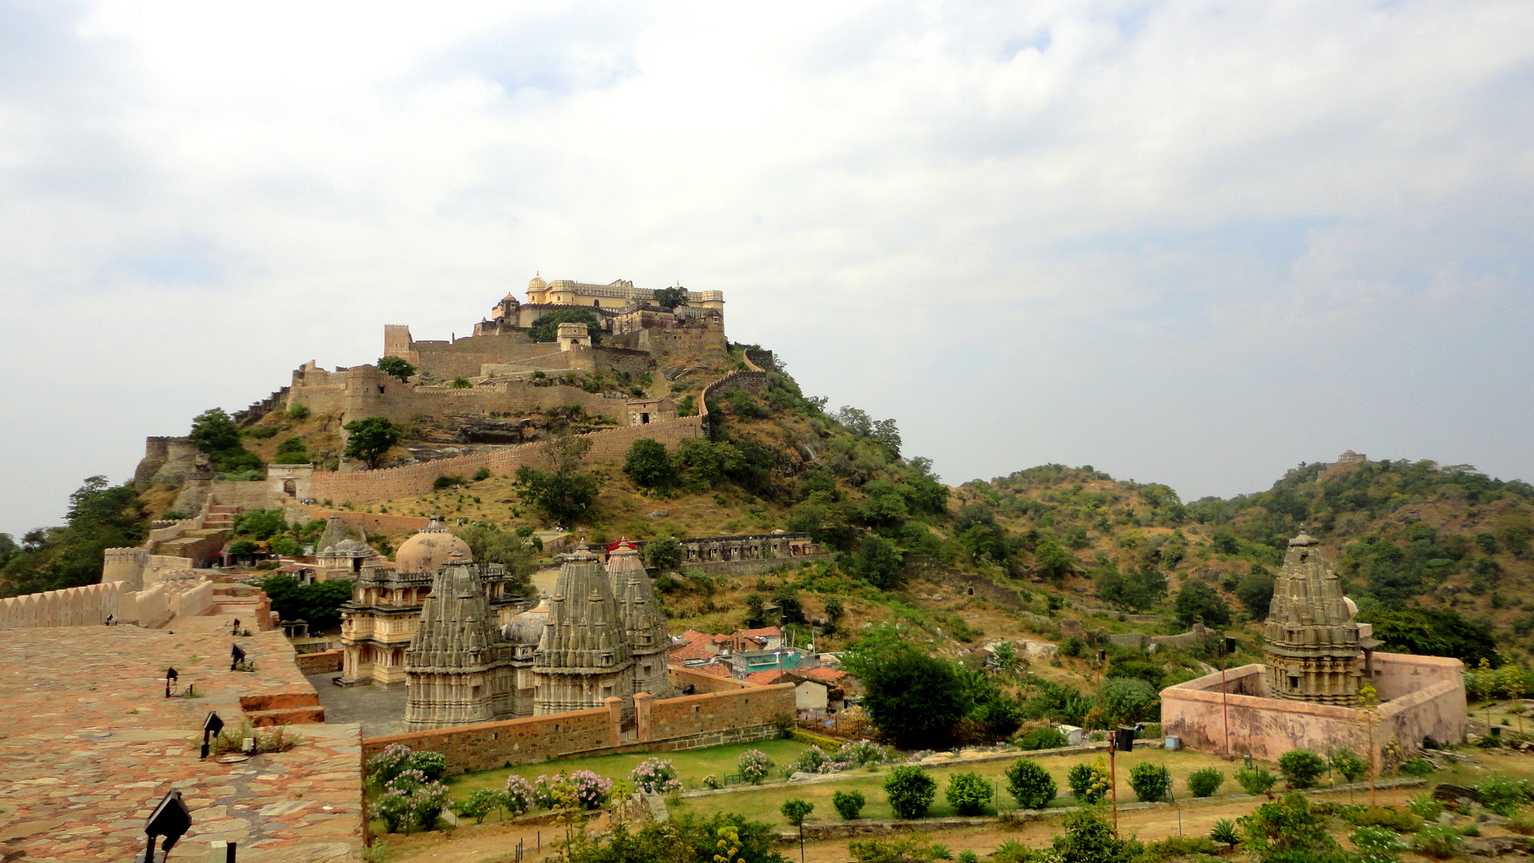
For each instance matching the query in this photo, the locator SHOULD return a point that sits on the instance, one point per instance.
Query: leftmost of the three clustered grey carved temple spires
(458, 669)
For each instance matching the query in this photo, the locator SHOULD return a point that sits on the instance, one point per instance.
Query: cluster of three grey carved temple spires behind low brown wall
(602, 637)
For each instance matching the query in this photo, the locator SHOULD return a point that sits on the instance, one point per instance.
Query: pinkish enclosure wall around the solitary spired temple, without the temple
(1200, 712)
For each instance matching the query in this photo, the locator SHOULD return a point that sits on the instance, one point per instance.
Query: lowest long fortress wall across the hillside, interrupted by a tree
(413, 481)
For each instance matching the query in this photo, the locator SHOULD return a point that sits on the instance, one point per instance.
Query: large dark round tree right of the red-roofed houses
(912, 698)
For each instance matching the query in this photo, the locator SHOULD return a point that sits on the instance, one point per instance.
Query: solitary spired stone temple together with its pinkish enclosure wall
(1306, 695)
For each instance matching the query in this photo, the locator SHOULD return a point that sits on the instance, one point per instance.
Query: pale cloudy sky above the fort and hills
(1182, 241)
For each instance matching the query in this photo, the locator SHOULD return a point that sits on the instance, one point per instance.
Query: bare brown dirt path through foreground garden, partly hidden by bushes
(498, 842)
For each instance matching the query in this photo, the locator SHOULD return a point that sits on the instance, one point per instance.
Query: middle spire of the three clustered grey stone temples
(584, 657)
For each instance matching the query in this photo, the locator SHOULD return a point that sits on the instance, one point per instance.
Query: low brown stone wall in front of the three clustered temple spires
(673, 724)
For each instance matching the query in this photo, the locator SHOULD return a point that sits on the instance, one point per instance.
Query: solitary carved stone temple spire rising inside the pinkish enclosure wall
(1314, 648)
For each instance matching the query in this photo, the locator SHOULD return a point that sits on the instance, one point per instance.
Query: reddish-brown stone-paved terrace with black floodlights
(90, 746)
